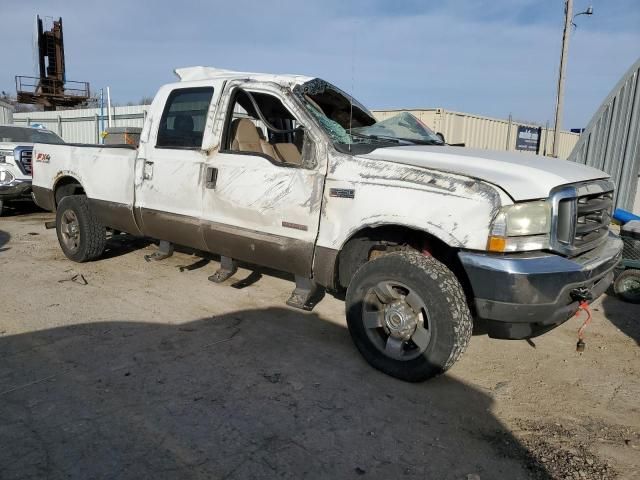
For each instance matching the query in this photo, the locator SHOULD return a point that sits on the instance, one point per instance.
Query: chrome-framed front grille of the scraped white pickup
(582, 215)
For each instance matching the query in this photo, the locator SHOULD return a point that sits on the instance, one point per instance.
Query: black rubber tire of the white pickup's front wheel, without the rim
(450, 320)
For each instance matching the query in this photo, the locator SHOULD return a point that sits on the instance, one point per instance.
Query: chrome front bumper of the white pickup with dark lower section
(526, 295)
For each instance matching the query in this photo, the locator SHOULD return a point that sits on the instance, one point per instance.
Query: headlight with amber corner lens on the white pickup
(520, 227)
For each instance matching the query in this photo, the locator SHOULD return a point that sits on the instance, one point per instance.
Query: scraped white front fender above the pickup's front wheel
(362, 193)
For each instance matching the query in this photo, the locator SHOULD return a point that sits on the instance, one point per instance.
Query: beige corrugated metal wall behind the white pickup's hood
(477, 131)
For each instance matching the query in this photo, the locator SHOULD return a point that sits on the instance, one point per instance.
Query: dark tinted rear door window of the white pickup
(184, 118)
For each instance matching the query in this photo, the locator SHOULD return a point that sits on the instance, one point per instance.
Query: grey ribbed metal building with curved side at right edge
(611, 141)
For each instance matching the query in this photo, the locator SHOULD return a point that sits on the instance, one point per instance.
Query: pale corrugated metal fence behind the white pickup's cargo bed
(83, 126)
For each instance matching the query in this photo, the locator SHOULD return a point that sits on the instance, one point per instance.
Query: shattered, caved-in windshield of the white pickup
(352, 127)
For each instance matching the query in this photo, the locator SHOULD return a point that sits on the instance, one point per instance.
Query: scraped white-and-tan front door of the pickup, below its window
(260, 212)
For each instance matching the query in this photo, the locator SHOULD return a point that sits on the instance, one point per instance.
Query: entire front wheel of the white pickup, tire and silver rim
(408, 315)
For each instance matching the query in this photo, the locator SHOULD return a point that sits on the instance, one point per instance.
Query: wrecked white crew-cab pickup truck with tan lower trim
(291, 173)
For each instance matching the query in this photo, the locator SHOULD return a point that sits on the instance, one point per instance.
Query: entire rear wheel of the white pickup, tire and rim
(81, 236)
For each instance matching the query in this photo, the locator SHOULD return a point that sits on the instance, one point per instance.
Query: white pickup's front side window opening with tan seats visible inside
(279, 138)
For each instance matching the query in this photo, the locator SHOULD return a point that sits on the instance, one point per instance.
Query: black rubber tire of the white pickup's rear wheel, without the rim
(93, 235)
